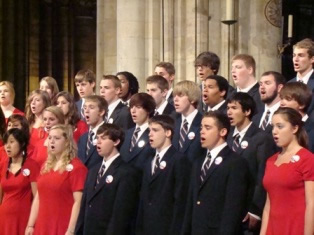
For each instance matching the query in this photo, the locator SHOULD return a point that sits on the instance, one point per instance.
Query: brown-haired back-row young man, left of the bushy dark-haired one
(167, 70)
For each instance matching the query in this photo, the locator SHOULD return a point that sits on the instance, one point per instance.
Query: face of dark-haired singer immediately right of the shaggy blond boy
(211, 93)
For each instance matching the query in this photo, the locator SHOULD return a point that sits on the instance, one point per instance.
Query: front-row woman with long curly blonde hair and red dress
(60, 184)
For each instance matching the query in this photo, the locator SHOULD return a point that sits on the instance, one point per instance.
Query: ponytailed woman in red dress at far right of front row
(289, 179)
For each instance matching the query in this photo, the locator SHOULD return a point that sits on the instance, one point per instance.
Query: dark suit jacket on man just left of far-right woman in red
(260, 147)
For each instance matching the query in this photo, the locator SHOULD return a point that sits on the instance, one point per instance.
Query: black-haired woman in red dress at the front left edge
(18, 184)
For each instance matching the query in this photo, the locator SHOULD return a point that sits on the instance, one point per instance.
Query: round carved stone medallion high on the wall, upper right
(273, 12)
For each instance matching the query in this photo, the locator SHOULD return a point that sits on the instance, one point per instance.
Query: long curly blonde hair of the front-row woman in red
(68, 153)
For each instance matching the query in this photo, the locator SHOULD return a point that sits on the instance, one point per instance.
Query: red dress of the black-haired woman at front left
(17, 199)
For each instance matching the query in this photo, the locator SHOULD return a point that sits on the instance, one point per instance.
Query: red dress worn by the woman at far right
(286, 191)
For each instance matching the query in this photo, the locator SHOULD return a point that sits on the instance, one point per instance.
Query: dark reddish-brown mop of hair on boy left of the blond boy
(144, 100)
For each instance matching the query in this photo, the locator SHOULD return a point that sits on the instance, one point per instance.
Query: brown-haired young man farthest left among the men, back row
(85, 82)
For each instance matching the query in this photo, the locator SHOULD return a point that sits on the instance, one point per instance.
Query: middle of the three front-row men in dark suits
(165, 182)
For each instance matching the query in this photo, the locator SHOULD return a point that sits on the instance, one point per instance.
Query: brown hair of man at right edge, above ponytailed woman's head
(298, 91)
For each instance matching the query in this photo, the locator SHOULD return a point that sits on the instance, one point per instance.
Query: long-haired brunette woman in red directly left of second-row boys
(65, 101)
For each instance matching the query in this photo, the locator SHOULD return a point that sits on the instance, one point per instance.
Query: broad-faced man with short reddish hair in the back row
(243, 75)
